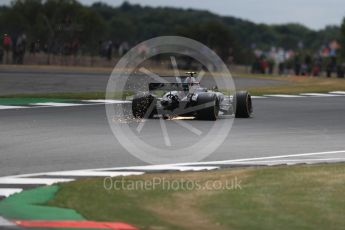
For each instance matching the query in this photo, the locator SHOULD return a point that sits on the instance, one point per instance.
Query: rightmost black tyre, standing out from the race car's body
(242, 102)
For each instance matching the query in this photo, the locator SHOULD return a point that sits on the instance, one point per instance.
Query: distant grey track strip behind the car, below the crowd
(29, 80)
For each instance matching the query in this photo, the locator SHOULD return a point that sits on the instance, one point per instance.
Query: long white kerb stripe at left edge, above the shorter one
(46, 181)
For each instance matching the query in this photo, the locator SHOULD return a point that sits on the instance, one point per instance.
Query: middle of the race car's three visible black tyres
(211, 110)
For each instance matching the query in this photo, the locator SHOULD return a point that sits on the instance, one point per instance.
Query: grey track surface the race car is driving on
(54, 139)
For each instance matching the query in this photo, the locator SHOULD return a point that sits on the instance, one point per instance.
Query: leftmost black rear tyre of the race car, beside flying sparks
(142, 103)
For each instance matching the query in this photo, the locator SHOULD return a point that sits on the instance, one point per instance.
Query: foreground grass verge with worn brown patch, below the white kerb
(284, 197)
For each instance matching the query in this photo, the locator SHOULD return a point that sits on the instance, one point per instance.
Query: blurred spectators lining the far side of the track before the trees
(276, 60)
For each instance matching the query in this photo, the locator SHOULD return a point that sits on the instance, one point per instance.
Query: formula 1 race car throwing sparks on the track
(188, 98)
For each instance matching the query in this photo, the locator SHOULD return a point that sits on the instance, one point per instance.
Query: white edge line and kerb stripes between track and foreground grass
(270, 160)
